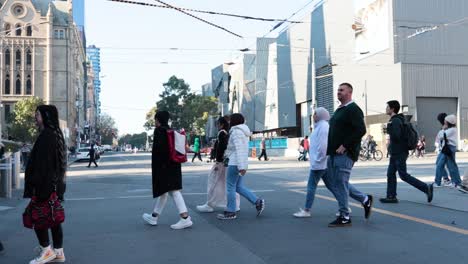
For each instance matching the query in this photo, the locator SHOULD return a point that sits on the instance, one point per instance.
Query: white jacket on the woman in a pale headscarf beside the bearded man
(318, 146)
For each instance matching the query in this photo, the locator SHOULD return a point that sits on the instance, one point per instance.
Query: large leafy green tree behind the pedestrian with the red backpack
(188, 110)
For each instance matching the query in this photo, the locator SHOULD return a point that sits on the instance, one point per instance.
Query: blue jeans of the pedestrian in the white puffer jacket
(234, 183)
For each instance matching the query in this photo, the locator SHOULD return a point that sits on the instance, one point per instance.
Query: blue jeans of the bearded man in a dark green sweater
(339, 172)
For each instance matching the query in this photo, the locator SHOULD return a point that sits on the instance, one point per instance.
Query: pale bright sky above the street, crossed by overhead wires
(136, 42)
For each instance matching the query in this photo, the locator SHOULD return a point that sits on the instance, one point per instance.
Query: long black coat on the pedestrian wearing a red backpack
(167, 175)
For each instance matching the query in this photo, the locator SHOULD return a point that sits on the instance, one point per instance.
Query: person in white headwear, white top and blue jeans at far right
(448, 136)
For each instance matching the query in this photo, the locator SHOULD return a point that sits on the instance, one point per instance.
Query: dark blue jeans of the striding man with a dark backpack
(398, 163)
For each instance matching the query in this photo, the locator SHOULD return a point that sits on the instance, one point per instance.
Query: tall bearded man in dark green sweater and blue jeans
(347, 127)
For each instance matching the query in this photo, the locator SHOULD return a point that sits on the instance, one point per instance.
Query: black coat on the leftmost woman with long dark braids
(43, 171)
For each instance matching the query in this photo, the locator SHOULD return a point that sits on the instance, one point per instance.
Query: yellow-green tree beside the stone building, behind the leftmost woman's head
(23, 123)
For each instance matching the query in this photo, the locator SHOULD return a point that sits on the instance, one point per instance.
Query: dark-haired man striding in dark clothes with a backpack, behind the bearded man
(400, 139)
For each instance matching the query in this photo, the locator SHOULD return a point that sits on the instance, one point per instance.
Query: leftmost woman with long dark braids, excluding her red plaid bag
(45, 181)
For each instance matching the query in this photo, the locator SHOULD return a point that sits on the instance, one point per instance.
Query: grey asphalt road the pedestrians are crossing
(104, 207)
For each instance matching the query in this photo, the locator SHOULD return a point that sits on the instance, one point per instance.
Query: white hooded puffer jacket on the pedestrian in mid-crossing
(238, 147)
